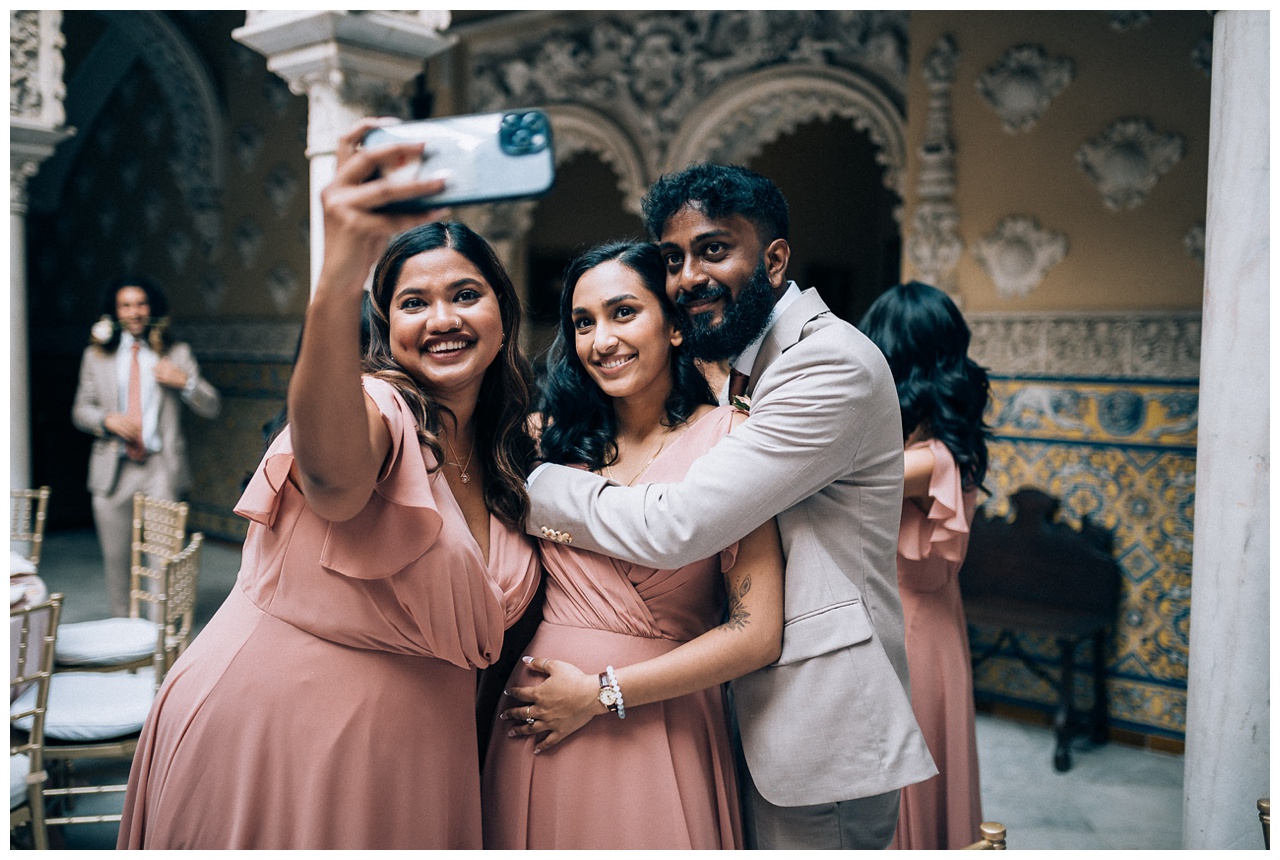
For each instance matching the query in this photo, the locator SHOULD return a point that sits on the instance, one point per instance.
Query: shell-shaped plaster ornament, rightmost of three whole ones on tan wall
(1128, 159)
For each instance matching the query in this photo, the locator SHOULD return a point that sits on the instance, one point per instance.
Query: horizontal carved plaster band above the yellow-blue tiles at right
(1105, 345)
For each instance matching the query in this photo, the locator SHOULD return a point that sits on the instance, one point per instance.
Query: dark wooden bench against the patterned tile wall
(1037, 578)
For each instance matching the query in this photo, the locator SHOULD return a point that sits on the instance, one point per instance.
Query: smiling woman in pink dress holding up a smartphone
(330, 703)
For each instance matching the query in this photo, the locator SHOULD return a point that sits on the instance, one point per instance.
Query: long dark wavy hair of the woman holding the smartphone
(502, 445)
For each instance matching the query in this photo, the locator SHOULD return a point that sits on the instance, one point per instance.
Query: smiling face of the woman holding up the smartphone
(446, 324)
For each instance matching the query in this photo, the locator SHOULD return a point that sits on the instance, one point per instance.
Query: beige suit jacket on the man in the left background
(98, 396)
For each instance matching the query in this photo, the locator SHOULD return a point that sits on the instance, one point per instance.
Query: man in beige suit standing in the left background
(134, 382)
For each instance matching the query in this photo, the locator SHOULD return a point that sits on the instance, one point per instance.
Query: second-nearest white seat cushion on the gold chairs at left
(86, 707)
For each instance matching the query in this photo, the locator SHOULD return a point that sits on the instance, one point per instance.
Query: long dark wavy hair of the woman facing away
(926, 341)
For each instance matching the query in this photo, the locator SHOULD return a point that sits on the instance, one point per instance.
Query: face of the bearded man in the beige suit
(723, 278)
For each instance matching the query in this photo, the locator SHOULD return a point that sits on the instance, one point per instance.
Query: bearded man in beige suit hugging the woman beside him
(828, 733)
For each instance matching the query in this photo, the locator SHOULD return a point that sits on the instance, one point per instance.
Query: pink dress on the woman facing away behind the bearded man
(945, 811)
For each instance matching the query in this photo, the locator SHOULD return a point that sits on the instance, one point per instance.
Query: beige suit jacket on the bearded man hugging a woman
(822, 451)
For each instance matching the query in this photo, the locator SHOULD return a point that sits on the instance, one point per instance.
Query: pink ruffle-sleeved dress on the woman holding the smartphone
(330, 703)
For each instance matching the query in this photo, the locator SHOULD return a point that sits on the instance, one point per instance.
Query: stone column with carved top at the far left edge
(36, 120)
